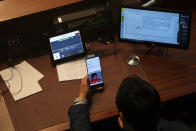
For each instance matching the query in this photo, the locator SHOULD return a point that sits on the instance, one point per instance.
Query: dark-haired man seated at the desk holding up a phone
(138, 104)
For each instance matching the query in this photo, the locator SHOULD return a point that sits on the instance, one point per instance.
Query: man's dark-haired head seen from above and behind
(139, 105)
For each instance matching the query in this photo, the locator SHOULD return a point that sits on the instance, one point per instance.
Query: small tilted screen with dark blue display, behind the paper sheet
(66, 45)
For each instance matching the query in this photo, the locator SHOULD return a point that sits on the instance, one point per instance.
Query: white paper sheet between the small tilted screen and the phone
(72, 70)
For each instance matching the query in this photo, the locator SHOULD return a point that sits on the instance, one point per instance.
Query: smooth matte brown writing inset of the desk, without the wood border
(50, 107)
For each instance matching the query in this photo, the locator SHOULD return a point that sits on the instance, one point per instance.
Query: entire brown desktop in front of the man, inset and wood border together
(173, 76)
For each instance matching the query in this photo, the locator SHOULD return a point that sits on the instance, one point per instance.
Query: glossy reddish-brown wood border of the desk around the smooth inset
(173, 75)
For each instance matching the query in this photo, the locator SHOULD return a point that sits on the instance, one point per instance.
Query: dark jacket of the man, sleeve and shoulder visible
(80, 121)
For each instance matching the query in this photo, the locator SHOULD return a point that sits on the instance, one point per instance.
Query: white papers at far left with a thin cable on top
(24, 80)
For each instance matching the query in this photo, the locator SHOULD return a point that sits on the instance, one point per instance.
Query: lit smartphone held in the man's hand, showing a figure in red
(94, 72)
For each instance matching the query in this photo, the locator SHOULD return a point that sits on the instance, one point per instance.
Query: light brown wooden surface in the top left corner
(10, 9)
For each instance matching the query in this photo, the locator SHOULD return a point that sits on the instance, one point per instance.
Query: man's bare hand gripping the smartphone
(84, 87)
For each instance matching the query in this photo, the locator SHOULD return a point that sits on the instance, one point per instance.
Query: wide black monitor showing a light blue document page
(145, 25)
